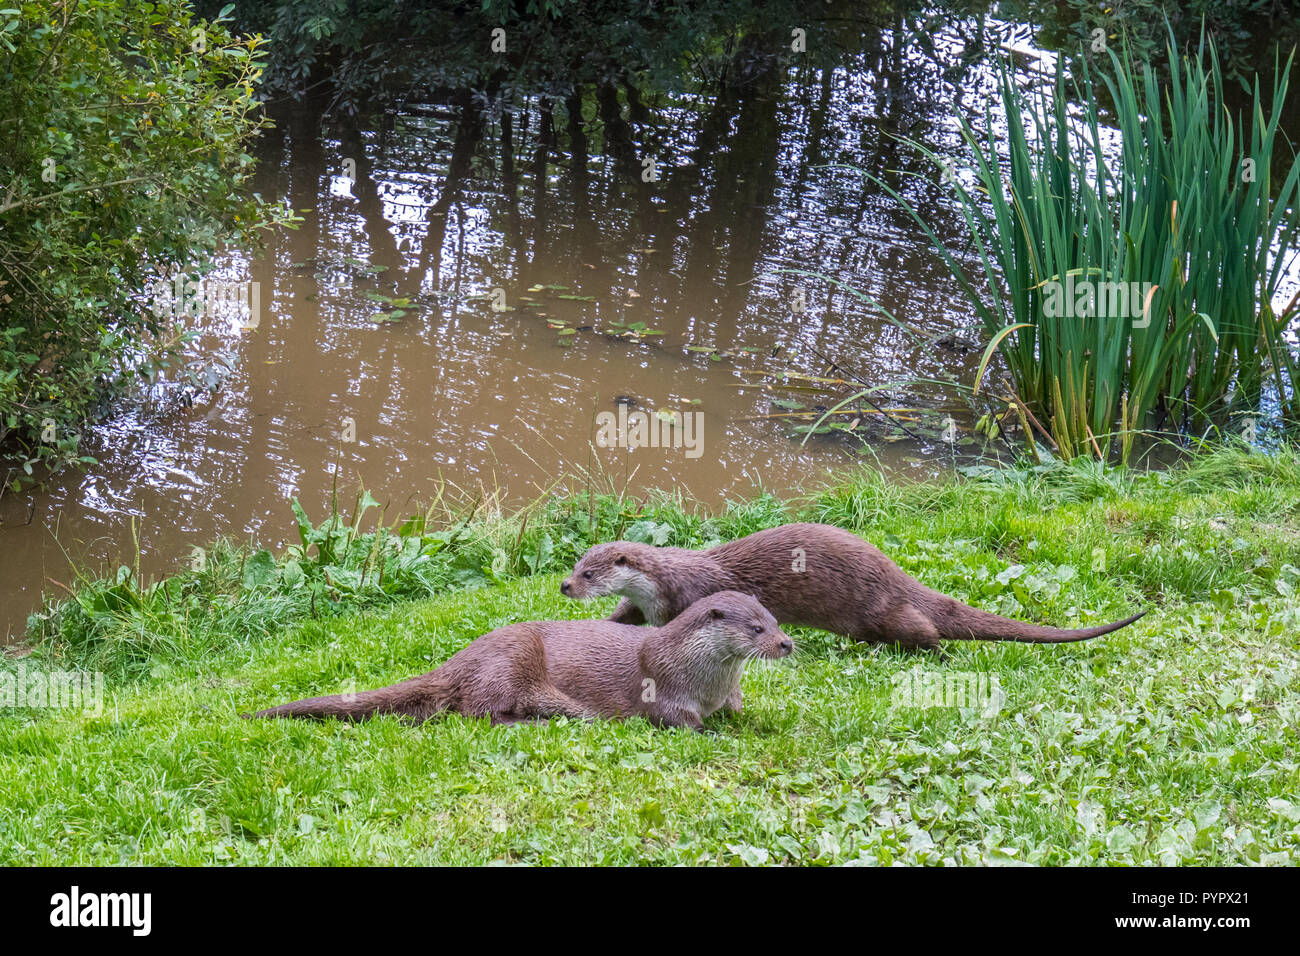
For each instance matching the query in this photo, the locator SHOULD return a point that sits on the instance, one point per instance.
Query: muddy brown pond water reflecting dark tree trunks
(619, 293)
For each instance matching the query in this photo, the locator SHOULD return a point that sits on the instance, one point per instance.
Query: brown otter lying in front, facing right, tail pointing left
(673, 676)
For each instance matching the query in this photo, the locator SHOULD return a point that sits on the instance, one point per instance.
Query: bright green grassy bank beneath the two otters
(1169, 742)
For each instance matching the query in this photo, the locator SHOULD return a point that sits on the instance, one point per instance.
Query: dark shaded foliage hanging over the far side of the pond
(358, 50)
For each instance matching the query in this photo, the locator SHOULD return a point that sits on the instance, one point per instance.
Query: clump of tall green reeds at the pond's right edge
(1129, 280)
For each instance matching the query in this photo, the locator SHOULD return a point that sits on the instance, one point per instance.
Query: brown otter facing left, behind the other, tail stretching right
(804, 574)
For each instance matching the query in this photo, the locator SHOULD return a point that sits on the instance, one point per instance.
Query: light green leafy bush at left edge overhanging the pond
(124, 141)
